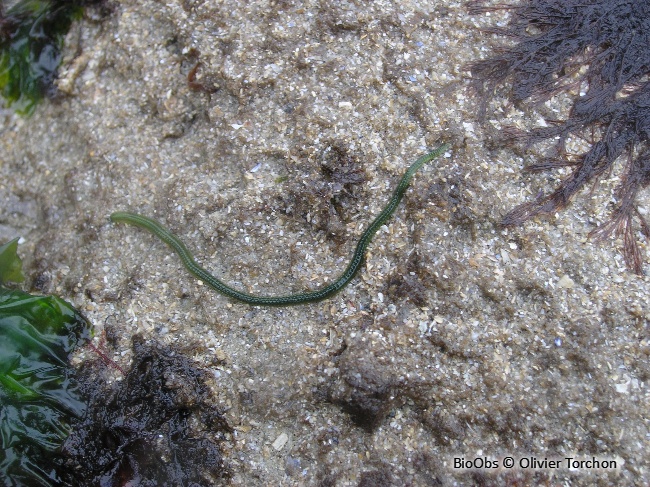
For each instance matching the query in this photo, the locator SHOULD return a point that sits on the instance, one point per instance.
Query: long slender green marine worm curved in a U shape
(292, 299)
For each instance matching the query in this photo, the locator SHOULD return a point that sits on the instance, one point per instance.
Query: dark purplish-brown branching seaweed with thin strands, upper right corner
(599, 50)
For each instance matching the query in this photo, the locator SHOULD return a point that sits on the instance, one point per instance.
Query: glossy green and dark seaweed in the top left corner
(31, 37)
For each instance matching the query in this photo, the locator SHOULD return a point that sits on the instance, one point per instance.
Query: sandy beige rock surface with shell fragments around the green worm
(267, 135)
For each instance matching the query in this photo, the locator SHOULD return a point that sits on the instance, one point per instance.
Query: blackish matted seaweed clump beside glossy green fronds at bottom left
(156, 427)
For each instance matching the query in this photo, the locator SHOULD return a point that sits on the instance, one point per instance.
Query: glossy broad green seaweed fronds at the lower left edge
(38, 394)
